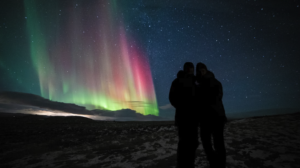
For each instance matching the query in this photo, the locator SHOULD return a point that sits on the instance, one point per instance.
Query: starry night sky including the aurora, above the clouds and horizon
(113, 54)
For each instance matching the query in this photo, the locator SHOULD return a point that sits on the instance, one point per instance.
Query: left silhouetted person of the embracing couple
(182, 96)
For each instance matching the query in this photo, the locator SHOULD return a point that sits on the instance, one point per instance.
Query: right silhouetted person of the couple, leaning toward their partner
(212, 116)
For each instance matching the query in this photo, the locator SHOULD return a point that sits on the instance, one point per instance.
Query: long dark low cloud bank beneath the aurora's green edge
(13, 101)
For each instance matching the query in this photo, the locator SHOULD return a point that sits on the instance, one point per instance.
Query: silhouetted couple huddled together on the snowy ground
(198, 102)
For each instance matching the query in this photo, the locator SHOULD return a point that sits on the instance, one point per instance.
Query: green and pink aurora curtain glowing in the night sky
(93, 61)
